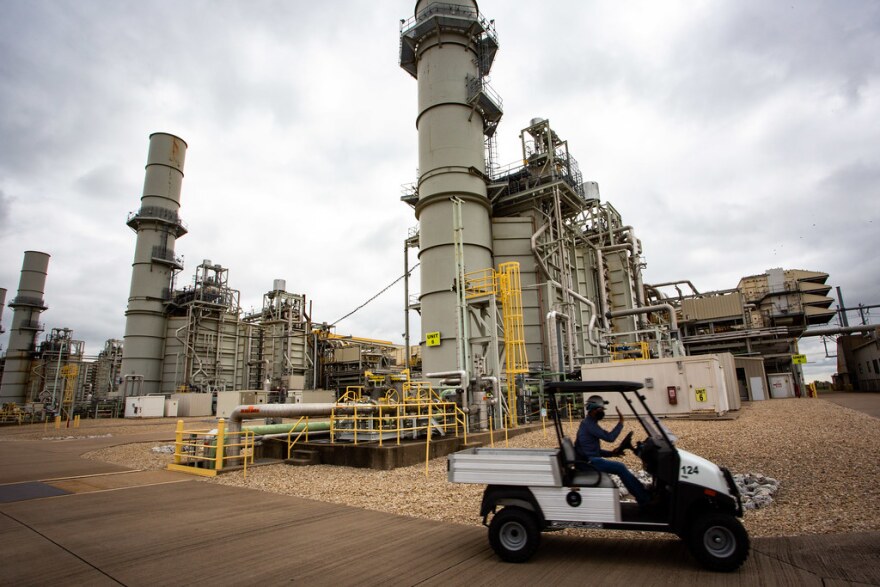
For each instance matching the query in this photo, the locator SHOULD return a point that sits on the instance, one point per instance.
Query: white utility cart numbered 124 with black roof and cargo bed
(529, 491)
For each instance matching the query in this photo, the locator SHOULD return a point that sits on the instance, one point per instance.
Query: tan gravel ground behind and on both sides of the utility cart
(826, 457)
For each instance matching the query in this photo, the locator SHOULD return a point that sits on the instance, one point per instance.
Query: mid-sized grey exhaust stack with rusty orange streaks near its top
(158, 226)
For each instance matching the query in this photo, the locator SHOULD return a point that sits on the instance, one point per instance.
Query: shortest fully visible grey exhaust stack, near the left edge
(26, 306)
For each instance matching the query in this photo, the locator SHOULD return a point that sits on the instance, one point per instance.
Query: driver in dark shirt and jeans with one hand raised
(587, 448)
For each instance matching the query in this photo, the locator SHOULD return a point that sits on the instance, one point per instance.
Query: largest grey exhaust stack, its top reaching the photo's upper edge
(449, 47)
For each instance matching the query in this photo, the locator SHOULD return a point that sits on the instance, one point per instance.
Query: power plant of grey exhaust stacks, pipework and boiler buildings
(527, 276)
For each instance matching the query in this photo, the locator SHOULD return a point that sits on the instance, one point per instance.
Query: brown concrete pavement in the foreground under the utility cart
(110, 526)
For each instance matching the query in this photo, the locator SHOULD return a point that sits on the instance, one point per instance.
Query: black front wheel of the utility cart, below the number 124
(719, 542)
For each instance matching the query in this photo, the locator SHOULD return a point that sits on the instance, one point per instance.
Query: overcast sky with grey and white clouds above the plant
(734, 136)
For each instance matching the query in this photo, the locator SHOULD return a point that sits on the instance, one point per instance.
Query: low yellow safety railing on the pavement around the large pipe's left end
(206, 452)
